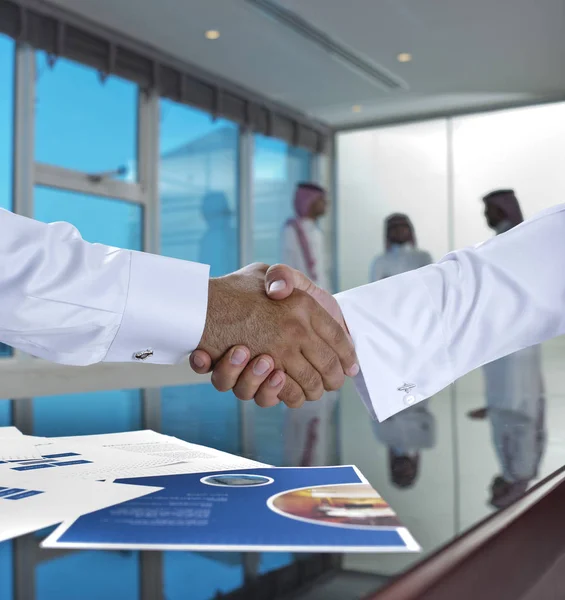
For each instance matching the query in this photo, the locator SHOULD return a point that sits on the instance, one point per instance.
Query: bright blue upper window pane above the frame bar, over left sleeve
(83, 123)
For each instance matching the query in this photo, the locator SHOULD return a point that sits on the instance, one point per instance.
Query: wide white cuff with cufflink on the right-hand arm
(399, 341)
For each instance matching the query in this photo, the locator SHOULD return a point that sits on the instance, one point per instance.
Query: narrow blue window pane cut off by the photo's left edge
(6, 132)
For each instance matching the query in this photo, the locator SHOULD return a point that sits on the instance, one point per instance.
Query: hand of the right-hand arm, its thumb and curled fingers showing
(259, 378)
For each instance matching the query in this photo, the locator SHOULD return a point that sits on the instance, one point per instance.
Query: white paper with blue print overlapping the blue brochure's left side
(27, 504)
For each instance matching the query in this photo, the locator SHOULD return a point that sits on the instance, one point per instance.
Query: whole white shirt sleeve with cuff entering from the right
(418, 332)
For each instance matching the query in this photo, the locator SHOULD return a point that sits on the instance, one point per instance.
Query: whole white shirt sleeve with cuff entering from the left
(76, 303)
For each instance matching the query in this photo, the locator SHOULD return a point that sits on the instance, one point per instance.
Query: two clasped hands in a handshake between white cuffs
(273, 335)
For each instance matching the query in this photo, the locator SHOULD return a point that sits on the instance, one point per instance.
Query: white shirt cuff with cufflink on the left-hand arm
(165, 311)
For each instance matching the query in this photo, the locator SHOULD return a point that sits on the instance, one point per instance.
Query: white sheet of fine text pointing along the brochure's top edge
(180, 456)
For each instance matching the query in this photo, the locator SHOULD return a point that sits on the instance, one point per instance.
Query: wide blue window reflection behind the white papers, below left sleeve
(87, 413)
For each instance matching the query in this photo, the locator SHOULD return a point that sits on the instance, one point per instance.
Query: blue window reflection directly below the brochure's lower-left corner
(89, 576)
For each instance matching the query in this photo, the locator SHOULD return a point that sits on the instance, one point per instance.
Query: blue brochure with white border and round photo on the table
(314, 509)
